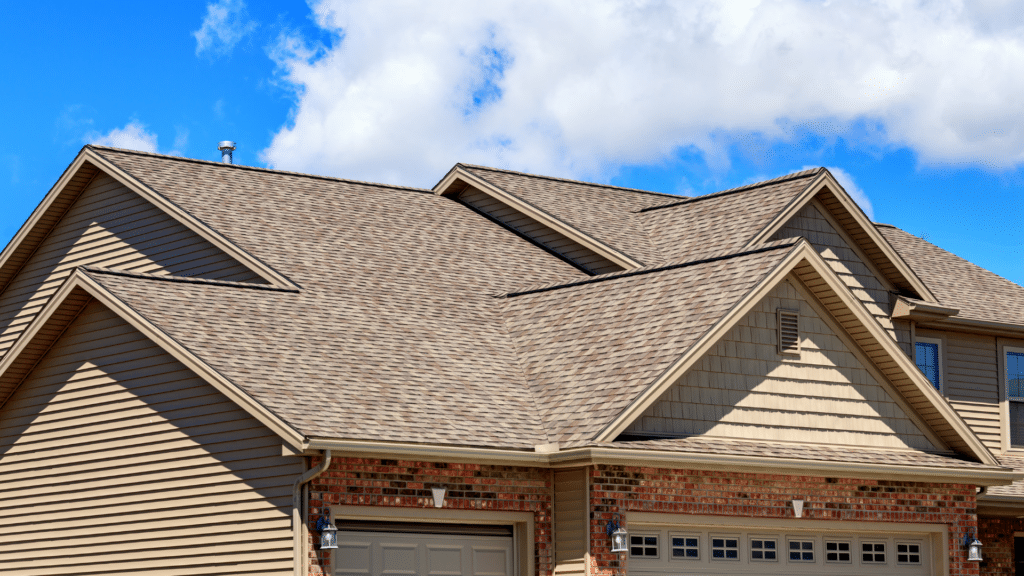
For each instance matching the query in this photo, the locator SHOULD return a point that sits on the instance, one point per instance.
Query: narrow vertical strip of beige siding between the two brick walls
(571, 526)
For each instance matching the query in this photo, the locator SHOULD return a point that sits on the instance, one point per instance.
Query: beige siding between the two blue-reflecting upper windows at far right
(971, 381)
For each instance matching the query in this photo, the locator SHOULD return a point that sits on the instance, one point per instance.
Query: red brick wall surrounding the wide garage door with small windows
(622, 490)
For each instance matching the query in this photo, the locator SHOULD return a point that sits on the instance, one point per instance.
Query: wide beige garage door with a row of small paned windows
(684, 551)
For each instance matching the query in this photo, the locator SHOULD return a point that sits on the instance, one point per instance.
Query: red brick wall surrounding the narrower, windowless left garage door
(364, 482)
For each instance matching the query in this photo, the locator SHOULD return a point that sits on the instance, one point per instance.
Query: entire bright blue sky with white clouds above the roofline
(916, 107)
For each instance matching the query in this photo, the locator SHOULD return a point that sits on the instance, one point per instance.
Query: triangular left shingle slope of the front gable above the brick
(589, 349)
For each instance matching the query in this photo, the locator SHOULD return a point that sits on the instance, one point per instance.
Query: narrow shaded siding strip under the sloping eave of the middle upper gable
(583, 257)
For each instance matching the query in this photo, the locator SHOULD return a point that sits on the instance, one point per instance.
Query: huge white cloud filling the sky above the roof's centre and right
(407, 91)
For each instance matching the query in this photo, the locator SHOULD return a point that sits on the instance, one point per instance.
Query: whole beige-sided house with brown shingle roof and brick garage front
(201, 364)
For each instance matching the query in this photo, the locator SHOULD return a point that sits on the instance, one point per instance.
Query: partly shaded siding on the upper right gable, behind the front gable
(809, 223)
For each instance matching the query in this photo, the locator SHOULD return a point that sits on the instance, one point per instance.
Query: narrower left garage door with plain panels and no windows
(408, 550)
